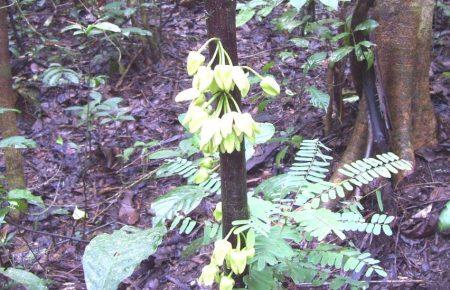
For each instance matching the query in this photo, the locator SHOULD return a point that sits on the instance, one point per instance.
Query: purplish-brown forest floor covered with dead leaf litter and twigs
(115, 193)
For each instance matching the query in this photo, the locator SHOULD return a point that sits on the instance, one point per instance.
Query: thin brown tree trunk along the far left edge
(8, 127)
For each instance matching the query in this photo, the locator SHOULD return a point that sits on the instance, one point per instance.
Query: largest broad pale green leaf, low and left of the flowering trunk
(110, 258)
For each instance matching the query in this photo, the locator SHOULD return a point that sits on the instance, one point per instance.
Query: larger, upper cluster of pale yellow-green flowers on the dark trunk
(213, 112)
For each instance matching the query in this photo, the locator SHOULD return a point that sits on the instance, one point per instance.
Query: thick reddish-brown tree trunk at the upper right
(403, 48)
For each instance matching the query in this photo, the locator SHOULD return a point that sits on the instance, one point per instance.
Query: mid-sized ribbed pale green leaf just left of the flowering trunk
(182, 199)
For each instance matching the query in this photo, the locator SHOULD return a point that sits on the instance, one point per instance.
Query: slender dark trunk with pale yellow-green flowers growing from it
(221, 22)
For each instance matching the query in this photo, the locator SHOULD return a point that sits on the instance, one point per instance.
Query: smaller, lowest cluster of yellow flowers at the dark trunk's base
(234, 260)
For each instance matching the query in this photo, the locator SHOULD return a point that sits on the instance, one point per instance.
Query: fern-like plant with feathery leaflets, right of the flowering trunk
(292, 227)
